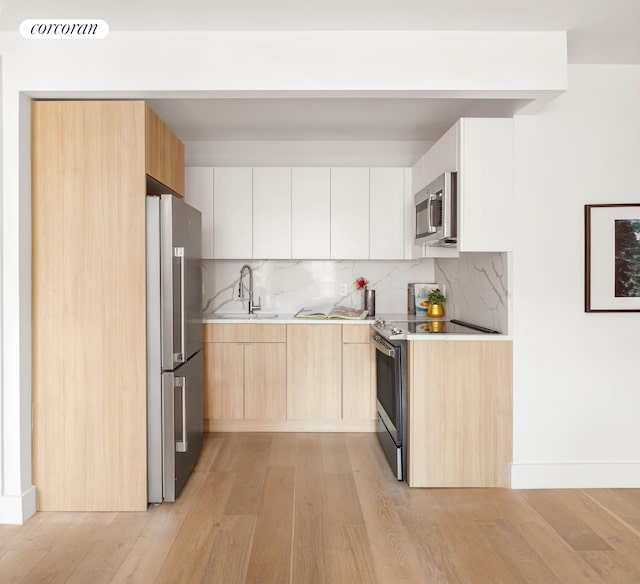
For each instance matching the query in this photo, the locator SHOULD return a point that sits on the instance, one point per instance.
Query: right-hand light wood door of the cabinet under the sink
(265, 381)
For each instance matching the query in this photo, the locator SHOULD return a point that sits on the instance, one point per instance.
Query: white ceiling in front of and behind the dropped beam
(599, 31)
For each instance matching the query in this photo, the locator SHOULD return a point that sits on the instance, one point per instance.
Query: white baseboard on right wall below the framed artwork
(576, 476)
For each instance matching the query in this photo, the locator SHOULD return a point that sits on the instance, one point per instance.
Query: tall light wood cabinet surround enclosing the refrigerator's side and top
(90, 161)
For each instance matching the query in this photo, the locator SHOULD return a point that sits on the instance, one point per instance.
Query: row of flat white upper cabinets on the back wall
(301, 213)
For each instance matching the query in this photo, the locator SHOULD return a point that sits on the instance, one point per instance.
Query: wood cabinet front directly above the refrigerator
(164, 153)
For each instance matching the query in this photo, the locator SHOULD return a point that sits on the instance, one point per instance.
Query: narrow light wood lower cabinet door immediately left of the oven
(358, 392)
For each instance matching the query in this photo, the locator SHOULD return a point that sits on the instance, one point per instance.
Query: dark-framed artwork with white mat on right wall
(612, 258)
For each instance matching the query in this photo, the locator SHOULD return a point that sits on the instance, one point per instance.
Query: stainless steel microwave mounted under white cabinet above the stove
(436, 212)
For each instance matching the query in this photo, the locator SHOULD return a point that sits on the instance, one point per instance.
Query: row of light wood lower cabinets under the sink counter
(301, 377)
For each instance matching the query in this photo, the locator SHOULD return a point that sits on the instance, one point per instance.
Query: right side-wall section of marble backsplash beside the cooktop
(477, 287)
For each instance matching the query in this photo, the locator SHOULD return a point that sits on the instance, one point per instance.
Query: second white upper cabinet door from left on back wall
(232, 213)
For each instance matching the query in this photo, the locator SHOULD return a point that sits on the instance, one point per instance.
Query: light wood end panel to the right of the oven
(460, 413)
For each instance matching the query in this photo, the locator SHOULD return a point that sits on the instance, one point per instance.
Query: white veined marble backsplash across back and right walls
(476, 285)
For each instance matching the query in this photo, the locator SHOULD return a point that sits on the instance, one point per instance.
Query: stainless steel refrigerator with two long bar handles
(174, 345)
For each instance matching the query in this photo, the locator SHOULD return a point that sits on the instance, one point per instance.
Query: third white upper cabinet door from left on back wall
(272, 213)
